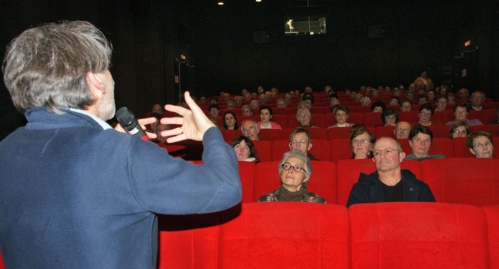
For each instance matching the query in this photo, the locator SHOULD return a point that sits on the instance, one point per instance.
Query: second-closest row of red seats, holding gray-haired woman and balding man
(452, 180)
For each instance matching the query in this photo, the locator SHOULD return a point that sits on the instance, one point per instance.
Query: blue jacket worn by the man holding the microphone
(73, 195)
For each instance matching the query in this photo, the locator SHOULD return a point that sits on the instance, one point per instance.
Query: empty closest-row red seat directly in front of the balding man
(417, 235)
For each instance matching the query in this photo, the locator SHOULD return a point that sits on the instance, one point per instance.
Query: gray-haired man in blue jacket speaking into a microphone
(93, 199)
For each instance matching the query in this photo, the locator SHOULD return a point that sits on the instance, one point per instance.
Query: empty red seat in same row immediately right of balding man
(463, 180)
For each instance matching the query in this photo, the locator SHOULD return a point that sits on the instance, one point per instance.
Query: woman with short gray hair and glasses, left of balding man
(294, 170)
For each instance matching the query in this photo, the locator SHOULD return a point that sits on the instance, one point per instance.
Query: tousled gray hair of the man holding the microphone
(47, 65)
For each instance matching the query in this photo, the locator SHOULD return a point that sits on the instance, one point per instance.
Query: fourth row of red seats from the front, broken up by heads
(344, 132)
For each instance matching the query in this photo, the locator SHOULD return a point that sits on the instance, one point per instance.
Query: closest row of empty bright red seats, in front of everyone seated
(305, 235)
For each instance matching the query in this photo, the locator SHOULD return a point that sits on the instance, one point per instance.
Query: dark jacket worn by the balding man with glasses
(369, 189)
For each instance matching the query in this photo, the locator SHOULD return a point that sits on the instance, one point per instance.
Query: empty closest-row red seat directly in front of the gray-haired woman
(286, 235)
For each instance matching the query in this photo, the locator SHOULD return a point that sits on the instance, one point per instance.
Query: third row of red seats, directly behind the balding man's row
(327, 150)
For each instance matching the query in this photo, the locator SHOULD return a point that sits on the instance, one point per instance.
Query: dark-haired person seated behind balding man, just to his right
(420, 139)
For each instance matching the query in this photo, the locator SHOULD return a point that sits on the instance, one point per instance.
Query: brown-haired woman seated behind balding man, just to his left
(361, 142)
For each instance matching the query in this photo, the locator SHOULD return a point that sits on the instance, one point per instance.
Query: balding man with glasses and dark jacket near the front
(389, 183)
